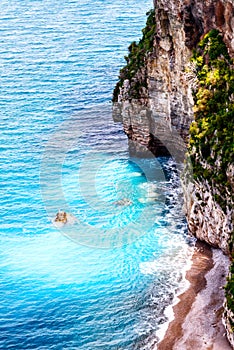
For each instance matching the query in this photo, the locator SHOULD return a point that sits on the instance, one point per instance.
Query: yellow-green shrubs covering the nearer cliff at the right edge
(211, 145)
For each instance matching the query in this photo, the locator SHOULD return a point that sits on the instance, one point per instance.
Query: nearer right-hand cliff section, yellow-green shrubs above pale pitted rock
(209, 197)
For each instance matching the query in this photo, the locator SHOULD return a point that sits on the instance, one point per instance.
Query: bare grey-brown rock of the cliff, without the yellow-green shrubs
(158, 115)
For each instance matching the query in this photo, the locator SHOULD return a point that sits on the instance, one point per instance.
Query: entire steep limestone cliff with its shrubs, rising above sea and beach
(177, 91)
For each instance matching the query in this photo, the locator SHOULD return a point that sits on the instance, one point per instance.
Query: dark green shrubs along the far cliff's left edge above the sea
(136, 59)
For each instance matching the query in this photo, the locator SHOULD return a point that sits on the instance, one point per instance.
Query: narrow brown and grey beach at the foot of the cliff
(197, 322)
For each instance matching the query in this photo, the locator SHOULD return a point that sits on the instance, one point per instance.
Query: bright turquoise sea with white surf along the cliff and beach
(102, 283)
